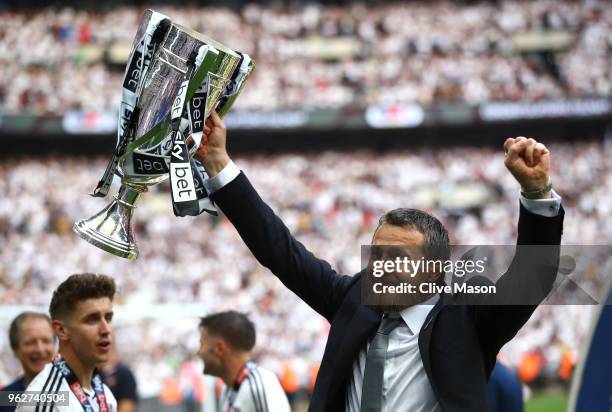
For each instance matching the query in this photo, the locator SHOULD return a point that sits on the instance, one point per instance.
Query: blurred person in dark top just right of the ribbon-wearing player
(121, 381)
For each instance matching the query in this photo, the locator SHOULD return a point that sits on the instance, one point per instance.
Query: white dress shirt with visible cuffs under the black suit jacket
(406, 386)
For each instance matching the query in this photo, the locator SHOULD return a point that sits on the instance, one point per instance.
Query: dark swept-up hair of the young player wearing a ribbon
(78, 288)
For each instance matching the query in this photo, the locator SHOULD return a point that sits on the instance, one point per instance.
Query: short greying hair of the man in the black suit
(436, 244)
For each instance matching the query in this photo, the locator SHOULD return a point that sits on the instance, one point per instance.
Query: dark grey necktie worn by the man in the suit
(371, 390)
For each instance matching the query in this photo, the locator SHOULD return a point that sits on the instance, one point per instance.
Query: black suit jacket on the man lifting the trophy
(458, 343)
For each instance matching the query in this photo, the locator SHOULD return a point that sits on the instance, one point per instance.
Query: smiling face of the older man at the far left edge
(35, 348)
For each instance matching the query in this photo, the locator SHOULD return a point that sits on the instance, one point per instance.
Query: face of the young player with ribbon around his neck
(90, 331)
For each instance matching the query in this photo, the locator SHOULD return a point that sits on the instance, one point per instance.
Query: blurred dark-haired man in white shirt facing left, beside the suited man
(226, 345)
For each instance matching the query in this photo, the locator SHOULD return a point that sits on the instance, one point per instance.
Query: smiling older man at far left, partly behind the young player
(31, 339)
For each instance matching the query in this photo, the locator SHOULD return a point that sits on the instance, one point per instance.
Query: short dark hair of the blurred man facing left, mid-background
(234, 327)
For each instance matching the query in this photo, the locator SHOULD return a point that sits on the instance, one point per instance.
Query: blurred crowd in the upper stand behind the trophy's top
(314, 56)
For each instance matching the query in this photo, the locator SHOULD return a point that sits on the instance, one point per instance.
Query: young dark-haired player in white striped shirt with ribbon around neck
(81, 314)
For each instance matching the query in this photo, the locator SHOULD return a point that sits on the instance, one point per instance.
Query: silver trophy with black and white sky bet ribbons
(174, 79)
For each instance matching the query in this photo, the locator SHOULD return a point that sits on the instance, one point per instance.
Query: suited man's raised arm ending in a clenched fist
(531, 275)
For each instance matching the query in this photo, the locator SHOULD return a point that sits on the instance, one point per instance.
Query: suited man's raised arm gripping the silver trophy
(270, 241)
